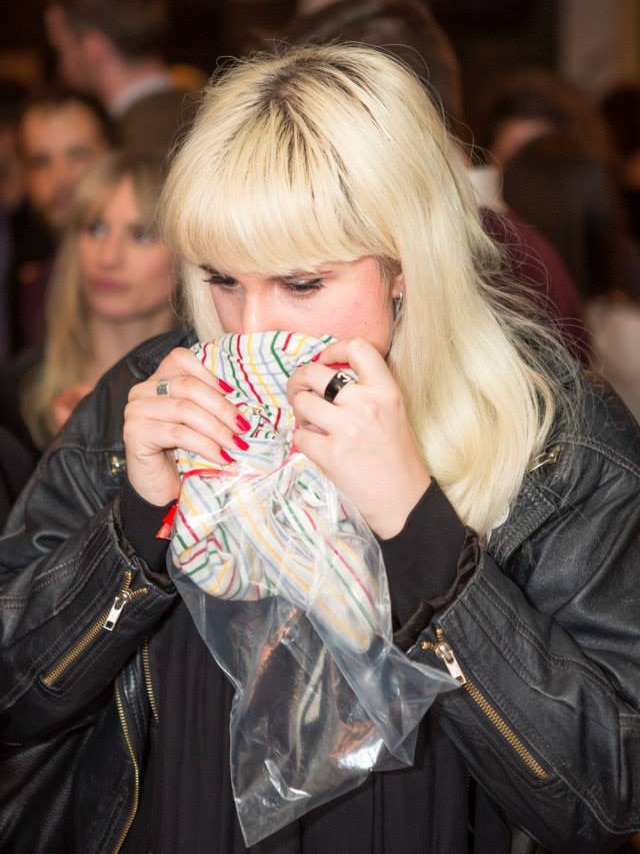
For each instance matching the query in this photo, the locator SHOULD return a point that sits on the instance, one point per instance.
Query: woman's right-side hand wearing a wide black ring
(362, 441)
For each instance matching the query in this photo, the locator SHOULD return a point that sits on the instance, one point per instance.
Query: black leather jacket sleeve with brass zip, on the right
(546, 636)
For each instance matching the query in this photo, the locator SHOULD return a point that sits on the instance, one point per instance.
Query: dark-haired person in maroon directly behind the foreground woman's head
(408, 30)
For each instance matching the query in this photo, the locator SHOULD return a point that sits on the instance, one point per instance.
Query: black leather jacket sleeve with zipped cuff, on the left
(76, 601)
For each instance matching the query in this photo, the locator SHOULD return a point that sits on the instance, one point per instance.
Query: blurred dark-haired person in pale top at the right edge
(557, 183)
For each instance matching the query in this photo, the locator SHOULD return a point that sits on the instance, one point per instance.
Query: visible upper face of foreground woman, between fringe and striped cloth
(343, 299)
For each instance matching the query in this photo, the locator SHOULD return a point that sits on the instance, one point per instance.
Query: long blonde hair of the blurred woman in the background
(68, 347)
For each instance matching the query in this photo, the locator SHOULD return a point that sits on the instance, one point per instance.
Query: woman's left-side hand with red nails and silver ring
(192, 414)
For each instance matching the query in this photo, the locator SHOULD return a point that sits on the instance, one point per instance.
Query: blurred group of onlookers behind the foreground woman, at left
(112, 115)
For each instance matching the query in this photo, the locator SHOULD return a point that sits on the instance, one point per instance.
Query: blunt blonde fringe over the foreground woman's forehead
(270, 209)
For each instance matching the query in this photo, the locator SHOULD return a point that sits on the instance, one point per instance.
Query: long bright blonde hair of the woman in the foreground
(330, 153)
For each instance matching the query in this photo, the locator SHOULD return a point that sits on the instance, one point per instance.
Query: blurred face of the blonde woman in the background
(127, 273)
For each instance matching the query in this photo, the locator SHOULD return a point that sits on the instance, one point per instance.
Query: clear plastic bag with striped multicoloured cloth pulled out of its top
(286, 584)
